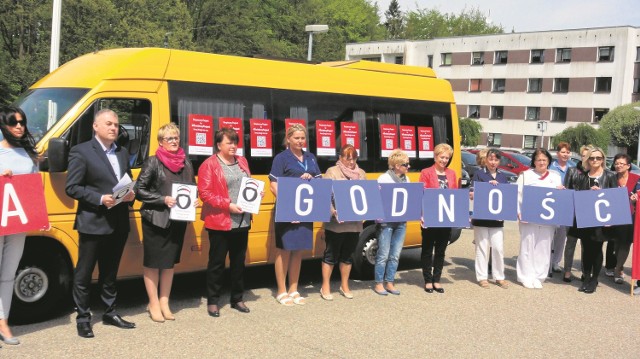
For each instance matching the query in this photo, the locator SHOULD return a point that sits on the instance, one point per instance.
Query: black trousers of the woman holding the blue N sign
(434, 245)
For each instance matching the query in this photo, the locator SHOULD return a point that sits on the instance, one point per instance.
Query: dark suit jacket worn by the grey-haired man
(90, 176)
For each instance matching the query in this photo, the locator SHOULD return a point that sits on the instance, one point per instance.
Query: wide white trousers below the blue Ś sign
(535, 252)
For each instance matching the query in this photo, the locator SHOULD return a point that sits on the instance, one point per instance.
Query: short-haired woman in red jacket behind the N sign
(435, 240)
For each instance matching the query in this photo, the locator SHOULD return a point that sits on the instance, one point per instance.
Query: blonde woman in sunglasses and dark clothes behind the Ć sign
(597, 177)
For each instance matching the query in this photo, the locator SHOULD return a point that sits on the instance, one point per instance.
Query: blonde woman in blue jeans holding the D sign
(391, 234)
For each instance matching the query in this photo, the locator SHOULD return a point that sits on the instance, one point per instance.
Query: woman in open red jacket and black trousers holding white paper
(219, 179)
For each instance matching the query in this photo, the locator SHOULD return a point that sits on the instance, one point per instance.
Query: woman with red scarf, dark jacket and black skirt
(162, 237)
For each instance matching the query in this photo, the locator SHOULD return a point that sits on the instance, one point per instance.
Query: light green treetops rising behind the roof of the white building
(424, 24)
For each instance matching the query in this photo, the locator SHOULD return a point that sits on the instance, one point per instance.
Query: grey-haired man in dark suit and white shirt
(95, 167)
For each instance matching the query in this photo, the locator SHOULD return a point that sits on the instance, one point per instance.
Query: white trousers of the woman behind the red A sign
(11, 248)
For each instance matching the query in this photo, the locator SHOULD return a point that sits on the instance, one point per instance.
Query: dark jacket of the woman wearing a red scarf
(148, 191)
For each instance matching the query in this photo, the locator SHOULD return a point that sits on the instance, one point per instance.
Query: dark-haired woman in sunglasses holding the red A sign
(17, 156)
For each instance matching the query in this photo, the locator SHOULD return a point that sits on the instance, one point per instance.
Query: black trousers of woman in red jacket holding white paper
(221, 243)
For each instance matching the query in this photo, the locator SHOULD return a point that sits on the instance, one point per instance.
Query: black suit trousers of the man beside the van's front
(106, 250)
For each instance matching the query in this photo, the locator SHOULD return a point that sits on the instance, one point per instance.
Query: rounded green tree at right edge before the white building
(623, 123)
